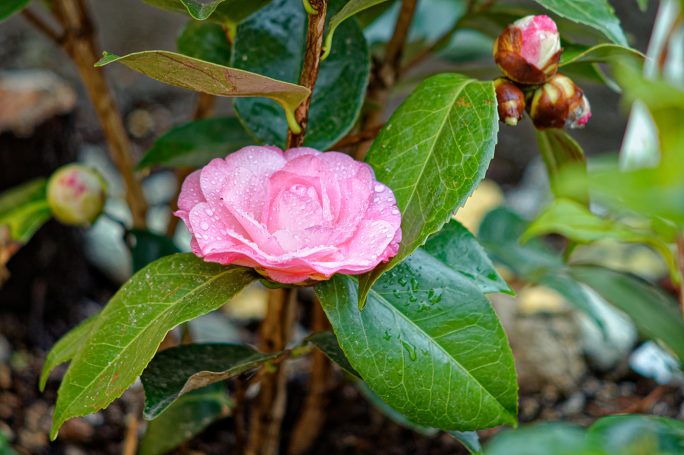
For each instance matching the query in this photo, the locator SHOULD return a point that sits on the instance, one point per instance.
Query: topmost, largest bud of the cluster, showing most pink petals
(528, 51)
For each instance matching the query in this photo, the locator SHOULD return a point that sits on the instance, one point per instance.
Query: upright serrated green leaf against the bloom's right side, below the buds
(432, 153)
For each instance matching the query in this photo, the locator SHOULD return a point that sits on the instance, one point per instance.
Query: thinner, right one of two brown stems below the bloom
(312, 418)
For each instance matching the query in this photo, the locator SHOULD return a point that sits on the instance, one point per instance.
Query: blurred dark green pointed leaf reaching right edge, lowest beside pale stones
(654, 312)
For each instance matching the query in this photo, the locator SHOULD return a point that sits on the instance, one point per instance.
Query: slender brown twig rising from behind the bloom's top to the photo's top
(309, 74)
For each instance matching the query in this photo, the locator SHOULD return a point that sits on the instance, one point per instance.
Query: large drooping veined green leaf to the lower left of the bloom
(126, 334)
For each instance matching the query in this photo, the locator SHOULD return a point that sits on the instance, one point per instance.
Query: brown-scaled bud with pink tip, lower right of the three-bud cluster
(559, 103)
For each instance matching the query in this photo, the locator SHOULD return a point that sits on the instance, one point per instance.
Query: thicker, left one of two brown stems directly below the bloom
(269, 408)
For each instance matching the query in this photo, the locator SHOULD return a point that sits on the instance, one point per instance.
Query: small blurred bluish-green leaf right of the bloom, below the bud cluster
(500, 233)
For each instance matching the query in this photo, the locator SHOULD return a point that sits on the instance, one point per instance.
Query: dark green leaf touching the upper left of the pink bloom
(195, 143)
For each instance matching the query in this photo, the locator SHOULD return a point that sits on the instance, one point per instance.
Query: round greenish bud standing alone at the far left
(76, 194)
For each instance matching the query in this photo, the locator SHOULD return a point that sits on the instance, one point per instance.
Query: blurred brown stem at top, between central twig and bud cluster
(386, 74)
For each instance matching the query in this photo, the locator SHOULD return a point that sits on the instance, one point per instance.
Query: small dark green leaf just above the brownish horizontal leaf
(204, 41)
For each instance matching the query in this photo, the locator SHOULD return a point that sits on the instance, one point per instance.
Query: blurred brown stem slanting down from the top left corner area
(79, 43)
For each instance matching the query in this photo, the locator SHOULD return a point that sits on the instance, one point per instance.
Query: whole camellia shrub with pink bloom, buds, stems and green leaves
(307, 186)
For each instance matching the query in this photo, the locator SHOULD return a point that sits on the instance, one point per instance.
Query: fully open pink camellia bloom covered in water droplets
(294, 216)
